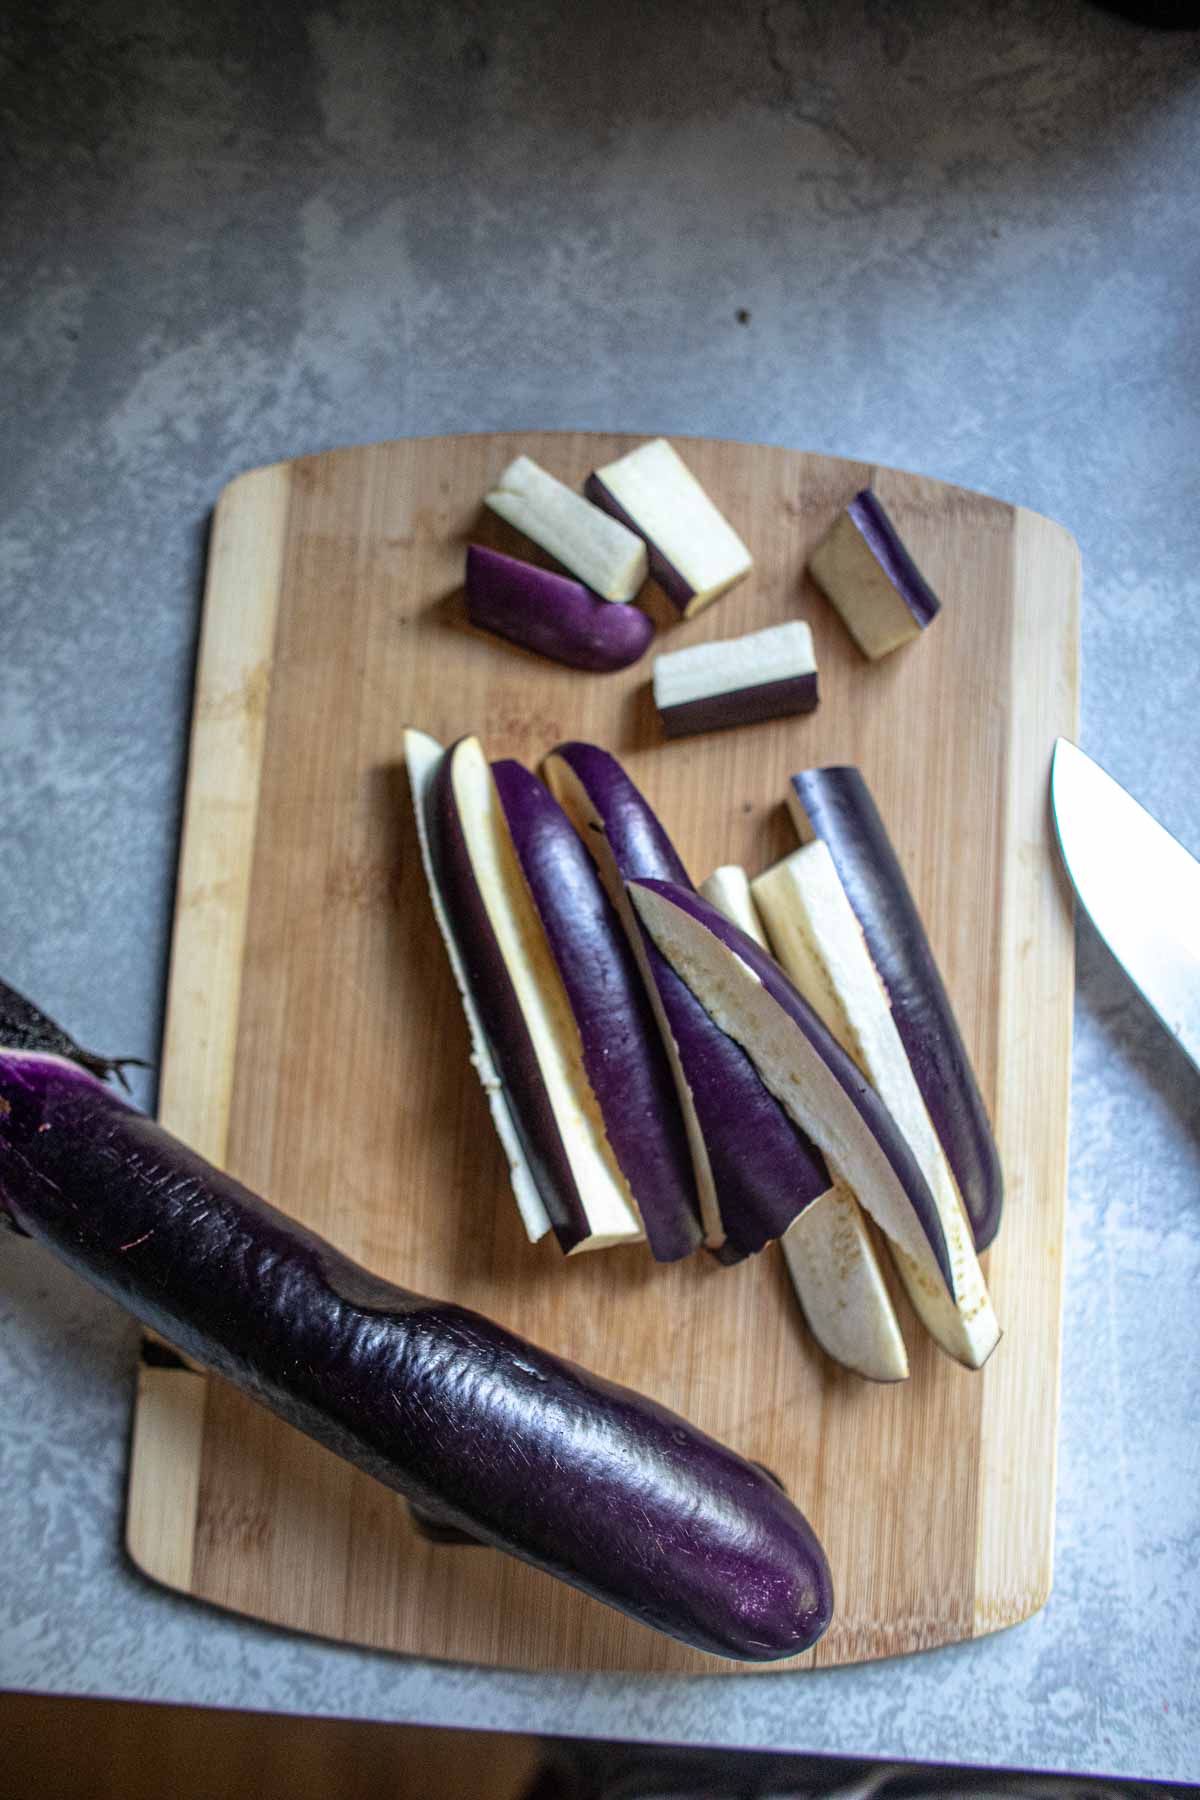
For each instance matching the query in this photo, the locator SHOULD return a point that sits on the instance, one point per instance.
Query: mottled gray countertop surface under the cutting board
(967, 242)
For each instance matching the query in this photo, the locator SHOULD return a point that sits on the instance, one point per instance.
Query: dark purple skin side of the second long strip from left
(505, 1023)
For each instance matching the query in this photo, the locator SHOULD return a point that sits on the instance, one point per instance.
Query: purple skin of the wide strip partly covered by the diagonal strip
(764, 1169)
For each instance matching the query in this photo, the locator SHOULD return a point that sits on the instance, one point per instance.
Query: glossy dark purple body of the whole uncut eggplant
(478, 1428)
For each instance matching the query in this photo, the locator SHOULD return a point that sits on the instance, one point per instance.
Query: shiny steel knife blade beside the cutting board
(1138, 885)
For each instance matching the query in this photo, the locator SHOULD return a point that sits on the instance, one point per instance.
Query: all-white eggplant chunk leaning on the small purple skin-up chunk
(604, 553)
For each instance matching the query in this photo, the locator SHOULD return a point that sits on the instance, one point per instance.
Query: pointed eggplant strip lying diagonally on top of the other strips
(749, 998)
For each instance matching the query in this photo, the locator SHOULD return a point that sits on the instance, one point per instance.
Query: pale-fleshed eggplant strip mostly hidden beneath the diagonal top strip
(828, 1252)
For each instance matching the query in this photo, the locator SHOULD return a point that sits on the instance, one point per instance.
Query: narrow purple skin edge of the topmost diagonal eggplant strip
(872, 1110)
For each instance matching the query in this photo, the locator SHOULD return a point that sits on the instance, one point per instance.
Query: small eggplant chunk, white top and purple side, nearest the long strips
(737, 681)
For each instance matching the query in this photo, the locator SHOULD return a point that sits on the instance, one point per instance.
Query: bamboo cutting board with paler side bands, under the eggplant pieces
(316, 1045)
